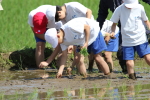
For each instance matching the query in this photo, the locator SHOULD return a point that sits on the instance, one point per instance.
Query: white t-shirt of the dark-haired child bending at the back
(74, 10)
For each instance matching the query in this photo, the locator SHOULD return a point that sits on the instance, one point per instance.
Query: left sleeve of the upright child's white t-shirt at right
(116, 15)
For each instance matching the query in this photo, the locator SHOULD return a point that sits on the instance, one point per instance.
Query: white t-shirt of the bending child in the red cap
(43, 9)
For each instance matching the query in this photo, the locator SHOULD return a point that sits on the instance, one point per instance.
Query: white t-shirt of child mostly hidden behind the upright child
(106, 28)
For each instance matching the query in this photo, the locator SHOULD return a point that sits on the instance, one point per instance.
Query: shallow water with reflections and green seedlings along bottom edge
(140, 92)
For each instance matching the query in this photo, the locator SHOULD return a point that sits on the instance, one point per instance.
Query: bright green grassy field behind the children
(14, 29)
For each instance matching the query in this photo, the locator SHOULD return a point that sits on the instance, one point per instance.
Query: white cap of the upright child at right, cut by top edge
(130, 3)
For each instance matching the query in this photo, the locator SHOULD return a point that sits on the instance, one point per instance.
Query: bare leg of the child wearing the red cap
(39, 53)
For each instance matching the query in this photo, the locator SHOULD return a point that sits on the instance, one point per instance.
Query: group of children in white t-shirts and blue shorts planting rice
(74, 24)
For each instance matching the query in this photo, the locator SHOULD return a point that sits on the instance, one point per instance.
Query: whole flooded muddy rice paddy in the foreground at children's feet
(36, 84)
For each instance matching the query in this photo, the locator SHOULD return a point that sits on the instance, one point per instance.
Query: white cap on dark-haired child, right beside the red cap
(50, 14)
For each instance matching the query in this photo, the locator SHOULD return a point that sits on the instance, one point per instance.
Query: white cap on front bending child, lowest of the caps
(51, 37)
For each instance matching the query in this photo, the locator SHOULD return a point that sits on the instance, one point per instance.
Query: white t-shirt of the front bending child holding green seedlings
(74, 32)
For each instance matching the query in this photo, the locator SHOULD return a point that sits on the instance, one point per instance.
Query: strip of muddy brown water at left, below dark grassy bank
(28, 74)
